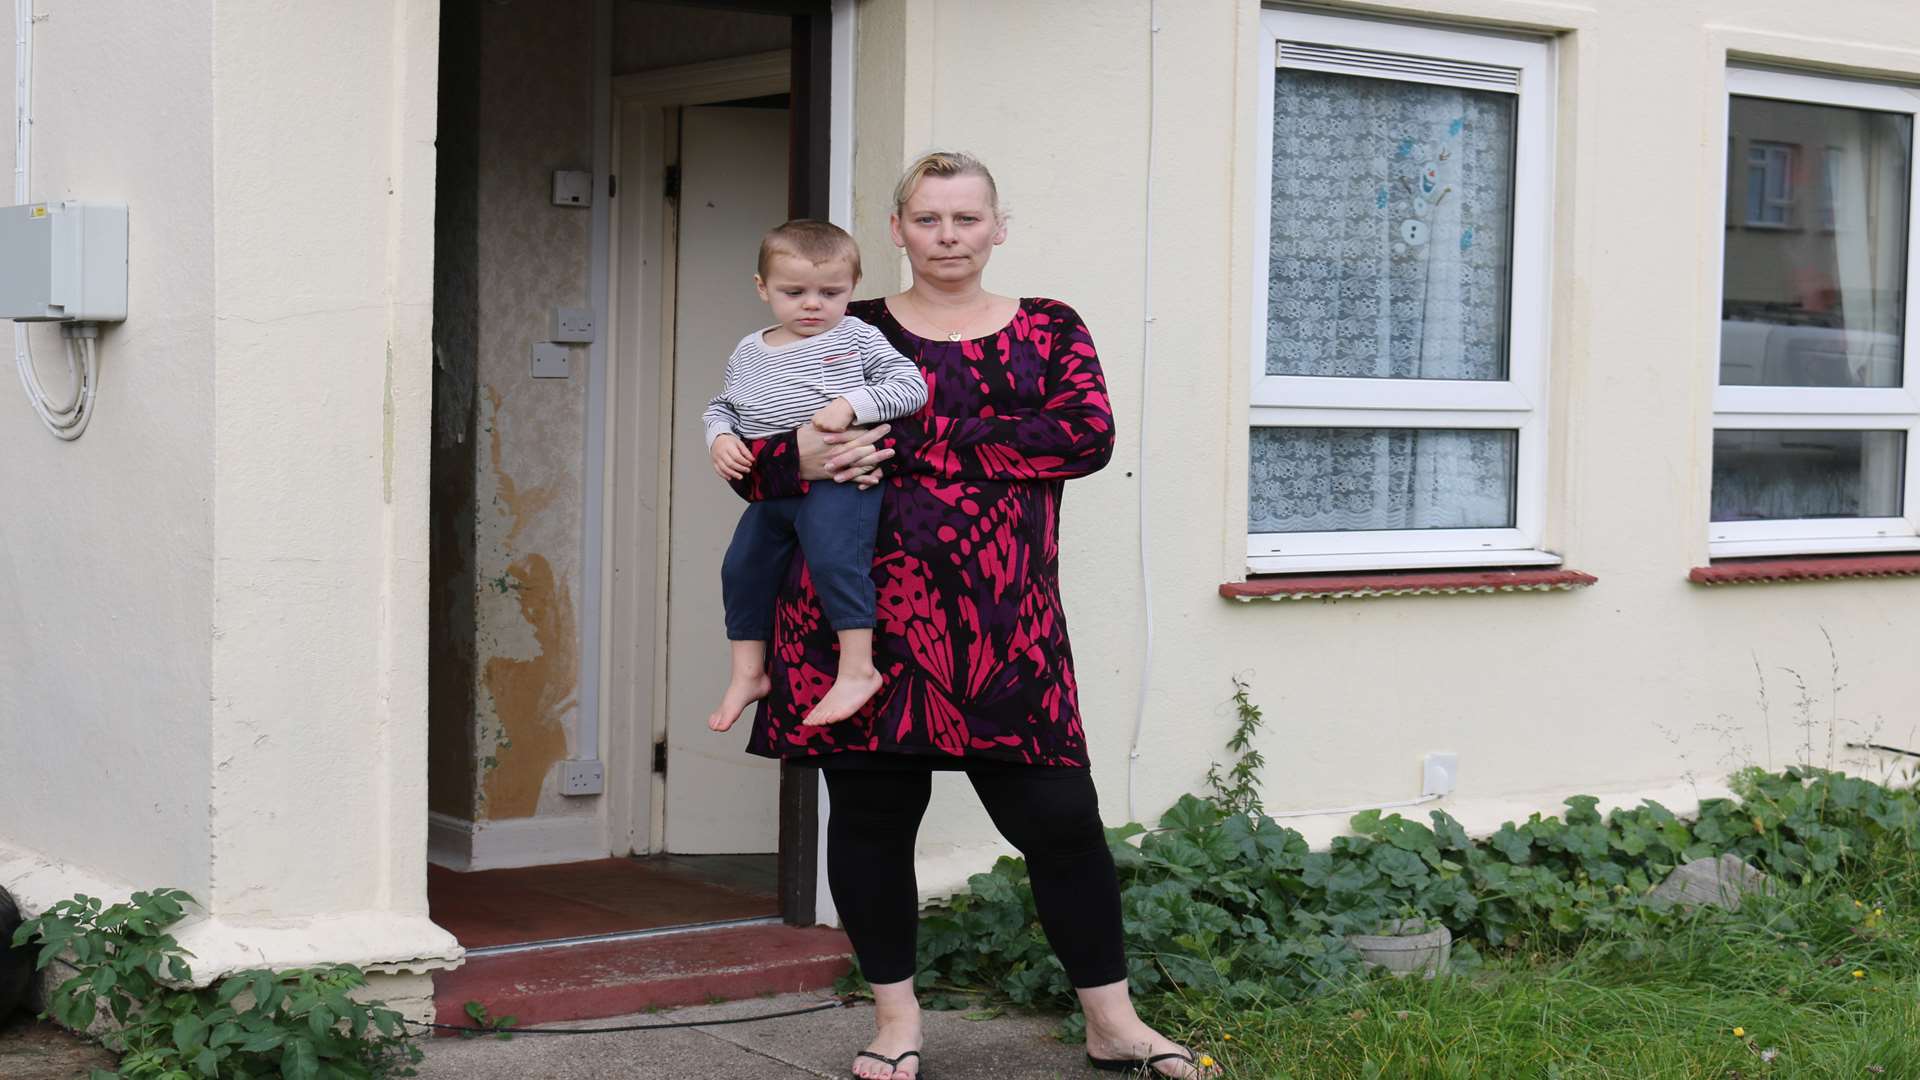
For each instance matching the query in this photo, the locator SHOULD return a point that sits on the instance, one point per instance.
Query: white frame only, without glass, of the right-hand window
(1825, 408)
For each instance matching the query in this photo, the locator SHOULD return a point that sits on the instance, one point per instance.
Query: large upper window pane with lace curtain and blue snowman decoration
(1391, 239)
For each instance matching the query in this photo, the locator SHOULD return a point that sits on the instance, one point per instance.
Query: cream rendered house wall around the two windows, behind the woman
(1641, 685)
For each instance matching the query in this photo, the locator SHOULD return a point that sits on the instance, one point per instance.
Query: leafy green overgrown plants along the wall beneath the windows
(1224, 900)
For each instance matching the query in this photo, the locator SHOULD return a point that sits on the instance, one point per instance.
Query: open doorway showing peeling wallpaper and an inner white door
(715, 128)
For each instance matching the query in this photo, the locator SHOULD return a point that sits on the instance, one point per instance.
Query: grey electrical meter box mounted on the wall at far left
(64, 262)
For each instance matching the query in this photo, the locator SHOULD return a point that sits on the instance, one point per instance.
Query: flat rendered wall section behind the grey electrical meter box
(107, 545)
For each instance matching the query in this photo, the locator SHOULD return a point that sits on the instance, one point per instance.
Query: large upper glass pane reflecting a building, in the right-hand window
(1817, 264)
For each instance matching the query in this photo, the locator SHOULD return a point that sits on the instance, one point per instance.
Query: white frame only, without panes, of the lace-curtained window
(1518, 403)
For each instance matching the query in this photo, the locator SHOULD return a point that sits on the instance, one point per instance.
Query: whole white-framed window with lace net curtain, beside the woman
(1401, 297)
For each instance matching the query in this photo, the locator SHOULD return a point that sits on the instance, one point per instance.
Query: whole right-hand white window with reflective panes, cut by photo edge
(1817, 424)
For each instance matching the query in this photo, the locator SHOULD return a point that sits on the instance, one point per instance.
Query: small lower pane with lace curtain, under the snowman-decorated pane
(1358, 479)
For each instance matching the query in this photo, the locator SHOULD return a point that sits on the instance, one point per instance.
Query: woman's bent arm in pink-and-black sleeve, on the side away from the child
(1072, 435)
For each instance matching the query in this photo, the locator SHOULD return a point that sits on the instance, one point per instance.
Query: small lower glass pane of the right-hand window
(1783, 476)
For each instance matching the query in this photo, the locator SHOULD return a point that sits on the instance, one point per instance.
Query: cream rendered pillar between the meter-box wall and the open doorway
(320, 483)
